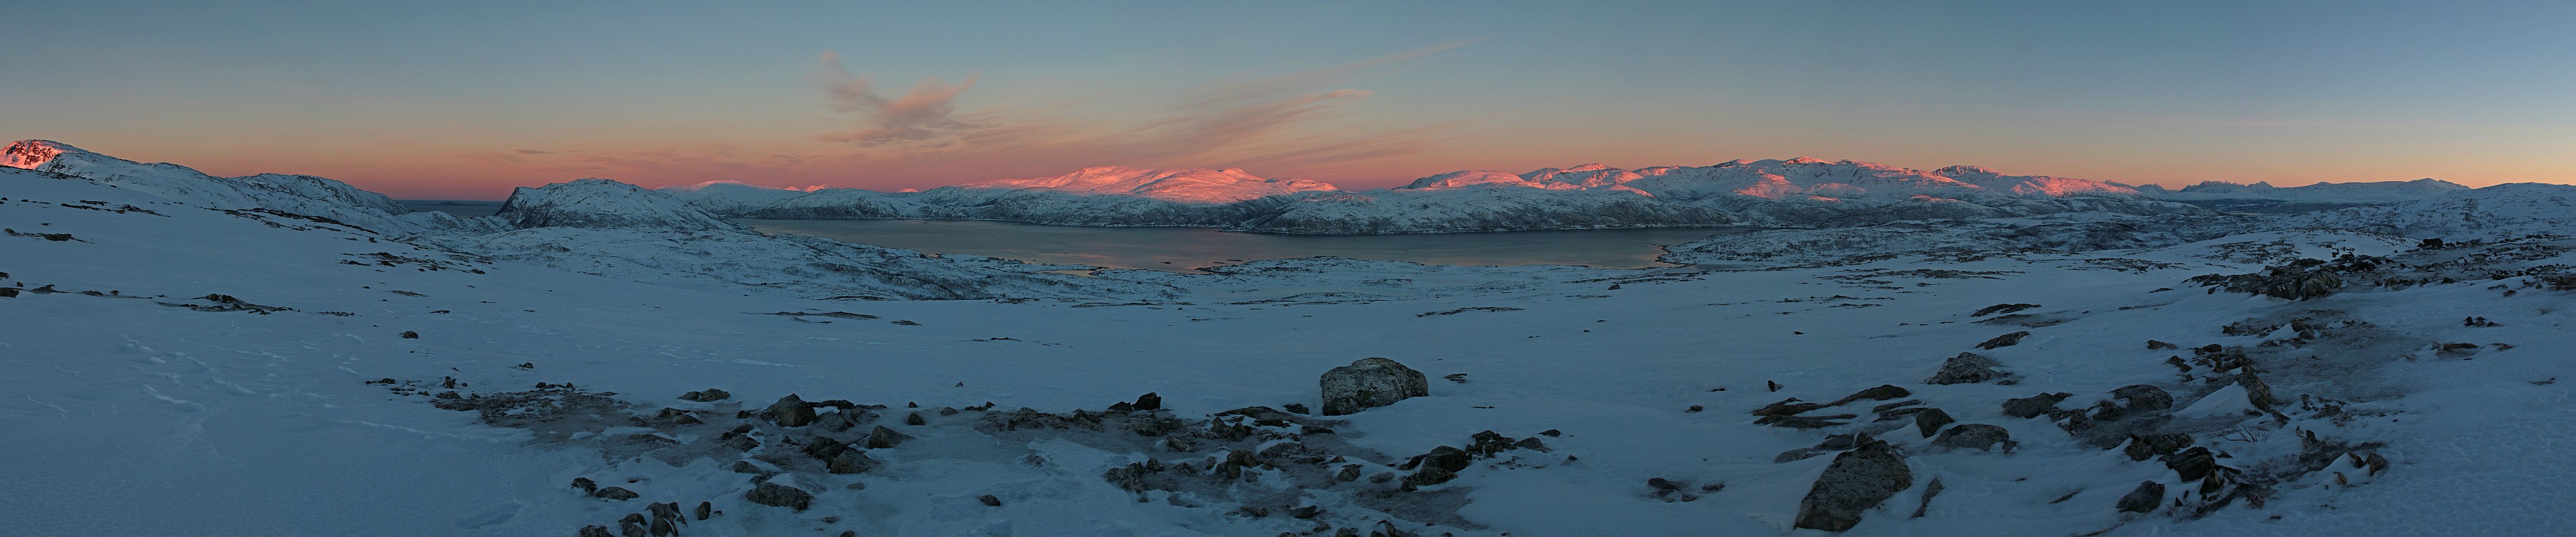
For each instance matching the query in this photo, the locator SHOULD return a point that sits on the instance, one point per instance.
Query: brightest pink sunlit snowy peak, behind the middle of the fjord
(1184, 185)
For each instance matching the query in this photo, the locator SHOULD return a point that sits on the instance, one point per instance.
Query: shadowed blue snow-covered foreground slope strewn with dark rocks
(179, 368)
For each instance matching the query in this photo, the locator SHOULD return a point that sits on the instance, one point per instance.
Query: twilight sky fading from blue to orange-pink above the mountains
(470, 99)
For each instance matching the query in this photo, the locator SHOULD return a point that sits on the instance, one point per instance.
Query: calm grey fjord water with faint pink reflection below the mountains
(1181, 249)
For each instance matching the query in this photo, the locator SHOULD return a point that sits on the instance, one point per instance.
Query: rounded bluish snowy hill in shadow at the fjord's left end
(607, 205)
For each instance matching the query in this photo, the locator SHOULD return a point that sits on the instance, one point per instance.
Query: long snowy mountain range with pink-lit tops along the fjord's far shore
(1588, 198)
